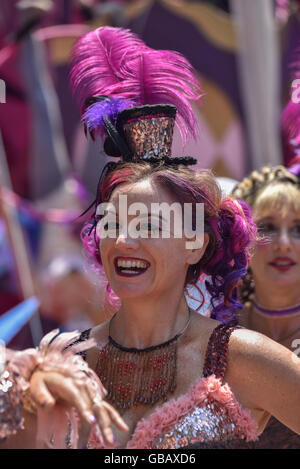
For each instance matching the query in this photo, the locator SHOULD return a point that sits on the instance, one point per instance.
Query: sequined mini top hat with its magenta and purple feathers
(125, 89)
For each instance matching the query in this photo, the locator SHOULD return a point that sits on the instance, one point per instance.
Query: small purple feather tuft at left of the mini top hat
(93, 116)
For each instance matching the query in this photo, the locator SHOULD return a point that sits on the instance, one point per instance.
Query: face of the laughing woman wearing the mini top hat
(148, 265)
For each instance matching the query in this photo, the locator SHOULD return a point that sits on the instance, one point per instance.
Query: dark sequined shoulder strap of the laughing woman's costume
(217, 351)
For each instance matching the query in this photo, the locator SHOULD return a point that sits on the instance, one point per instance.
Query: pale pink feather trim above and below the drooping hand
(53, 354)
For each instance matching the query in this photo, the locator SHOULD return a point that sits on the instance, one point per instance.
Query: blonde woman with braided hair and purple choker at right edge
(270, 292)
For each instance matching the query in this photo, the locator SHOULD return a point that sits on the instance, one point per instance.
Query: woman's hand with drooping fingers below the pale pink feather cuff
(50, 387)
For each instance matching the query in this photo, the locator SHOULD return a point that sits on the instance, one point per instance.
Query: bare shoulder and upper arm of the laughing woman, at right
(265, 378)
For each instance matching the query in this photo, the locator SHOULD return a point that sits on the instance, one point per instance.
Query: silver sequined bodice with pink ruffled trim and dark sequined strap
(207, 416)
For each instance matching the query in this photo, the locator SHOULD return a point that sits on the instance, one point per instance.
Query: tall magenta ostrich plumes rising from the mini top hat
(116, 63)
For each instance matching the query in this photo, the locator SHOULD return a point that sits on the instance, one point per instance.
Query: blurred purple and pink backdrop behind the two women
(242, 52)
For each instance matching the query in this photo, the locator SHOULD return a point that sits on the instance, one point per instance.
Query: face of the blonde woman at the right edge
(276, 262)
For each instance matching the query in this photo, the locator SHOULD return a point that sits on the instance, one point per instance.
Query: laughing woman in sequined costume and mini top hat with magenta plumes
(177, 378)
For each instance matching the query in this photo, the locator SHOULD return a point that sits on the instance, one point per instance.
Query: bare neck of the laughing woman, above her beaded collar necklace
(147, 322)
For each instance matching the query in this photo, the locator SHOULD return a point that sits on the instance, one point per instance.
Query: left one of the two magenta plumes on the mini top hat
(97, 59)
